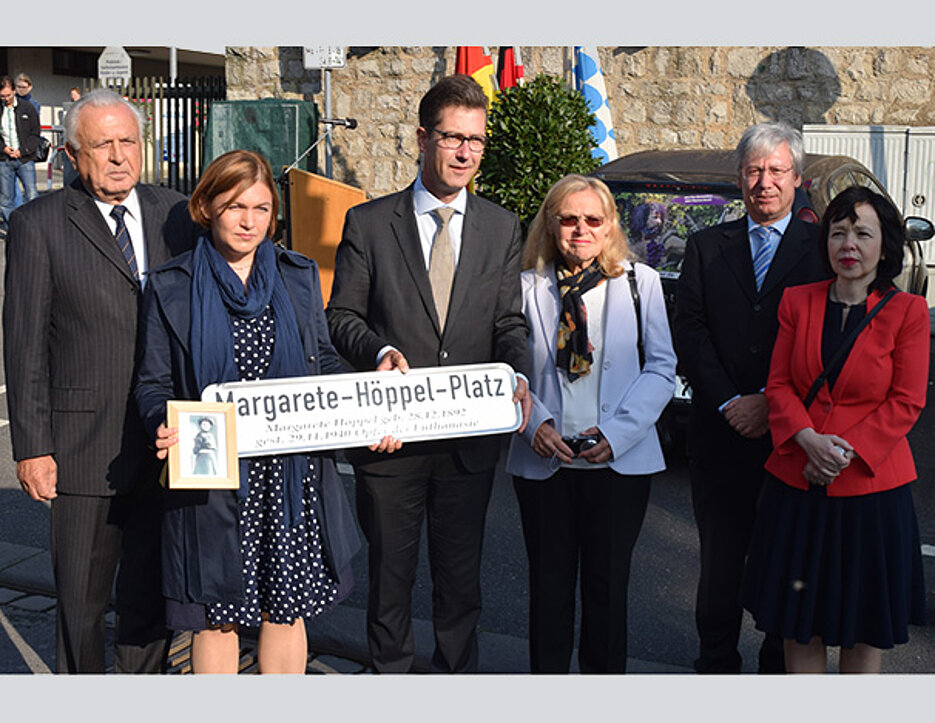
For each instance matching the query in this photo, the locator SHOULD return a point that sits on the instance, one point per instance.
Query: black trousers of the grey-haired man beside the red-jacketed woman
(724, 499)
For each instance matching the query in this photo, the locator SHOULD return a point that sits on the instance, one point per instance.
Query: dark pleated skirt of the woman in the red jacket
(845, 569)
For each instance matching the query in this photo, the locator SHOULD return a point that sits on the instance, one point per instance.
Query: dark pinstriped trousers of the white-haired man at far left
(92, 539)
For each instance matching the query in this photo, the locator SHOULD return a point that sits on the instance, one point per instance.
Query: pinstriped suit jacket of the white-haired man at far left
(70, 319)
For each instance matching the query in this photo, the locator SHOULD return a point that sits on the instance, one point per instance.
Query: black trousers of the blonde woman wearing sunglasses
(591, 516)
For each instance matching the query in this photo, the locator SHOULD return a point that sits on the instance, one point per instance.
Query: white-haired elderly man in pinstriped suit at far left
(75, 263)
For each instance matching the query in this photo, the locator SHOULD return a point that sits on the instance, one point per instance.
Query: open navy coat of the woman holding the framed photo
(201, 558)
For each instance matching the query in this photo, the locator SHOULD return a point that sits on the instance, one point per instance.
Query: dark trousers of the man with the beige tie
(391, 510)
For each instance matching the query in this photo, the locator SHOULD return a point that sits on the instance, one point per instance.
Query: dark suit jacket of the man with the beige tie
(381, 295)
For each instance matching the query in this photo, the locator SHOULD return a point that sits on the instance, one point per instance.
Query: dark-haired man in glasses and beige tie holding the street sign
(429, 276)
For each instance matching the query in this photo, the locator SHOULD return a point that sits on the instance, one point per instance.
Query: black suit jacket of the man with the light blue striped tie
(725, 329)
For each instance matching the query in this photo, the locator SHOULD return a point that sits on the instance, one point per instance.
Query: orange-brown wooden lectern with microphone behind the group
(316, 210)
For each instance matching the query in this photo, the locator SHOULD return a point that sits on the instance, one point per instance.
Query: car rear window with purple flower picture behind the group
(658, 223)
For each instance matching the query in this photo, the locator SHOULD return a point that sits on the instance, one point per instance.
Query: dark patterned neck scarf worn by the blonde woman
(574, 349)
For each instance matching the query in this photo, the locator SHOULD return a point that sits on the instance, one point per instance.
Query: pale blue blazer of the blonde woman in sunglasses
(630, 400)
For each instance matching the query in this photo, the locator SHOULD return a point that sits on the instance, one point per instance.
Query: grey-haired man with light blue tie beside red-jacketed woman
(732, 279)
